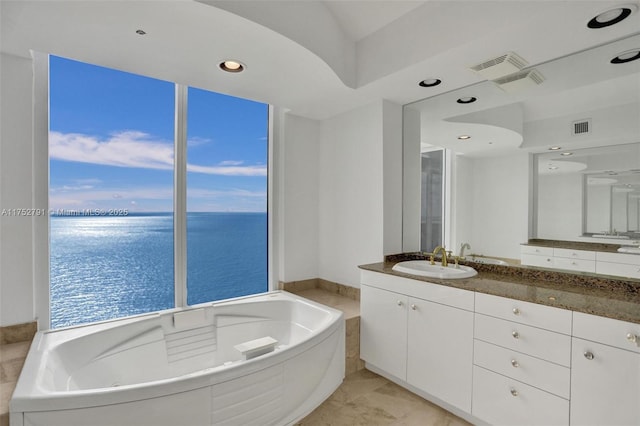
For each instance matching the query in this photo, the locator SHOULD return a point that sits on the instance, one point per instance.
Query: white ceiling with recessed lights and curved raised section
(314, 58)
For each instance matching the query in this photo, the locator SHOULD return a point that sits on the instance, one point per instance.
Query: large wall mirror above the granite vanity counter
(553, 155)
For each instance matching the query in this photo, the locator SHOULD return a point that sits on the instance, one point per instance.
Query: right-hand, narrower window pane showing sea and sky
(226, 197)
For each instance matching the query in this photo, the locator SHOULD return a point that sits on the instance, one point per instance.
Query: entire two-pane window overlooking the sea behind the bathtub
(113, 187)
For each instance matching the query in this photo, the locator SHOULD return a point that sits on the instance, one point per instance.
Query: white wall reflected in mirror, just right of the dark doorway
(495, 223)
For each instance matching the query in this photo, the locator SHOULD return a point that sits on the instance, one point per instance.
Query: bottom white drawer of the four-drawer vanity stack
(499, 400)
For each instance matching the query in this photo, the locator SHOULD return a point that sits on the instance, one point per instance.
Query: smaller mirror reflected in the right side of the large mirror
(591, 193)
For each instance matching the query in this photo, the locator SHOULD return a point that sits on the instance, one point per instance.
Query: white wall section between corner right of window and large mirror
(351, 190)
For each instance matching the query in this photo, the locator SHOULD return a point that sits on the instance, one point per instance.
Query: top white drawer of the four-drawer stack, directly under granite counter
(527, 313)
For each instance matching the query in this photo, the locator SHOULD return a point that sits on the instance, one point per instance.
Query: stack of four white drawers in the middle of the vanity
(522, 359)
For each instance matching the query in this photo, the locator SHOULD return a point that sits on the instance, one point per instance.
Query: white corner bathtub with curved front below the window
(180, 367)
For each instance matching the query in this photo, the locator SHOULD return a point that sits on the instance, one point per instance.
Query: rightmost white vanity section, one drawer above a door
(605, 385)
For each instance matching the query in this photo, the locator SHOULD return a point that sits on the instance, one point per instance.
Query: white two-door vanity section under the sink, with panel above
(421, 333)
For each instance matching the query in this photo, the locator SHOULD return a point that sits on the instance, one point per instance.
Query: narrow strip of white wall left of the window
(16, 183)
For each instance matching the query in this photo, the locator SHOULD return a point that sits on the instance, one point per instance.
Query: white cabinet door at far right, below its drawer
(605, 385)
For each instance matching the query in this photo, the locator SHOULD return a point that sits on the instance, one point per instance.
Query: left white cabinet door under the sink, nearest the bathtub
(383, 330)
